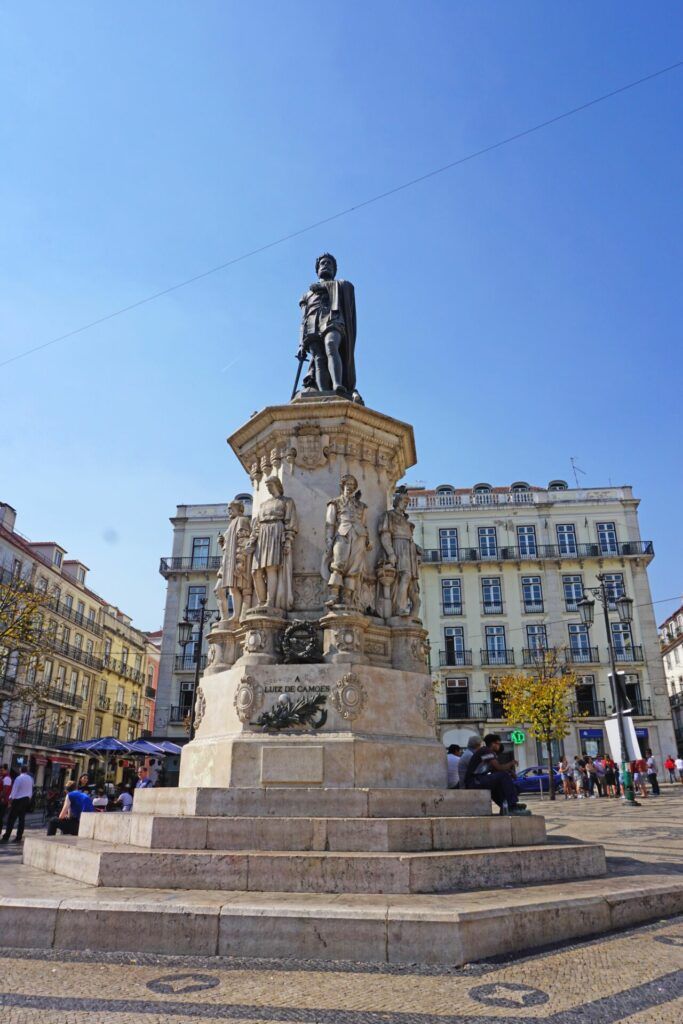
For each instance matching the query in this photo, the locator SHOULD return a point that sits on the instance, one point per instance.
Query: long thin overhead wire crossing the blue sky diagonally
(344, 214)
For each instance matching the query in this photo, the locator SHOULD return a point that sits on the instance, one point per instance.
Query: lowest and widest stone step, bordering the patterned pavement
(39, 911)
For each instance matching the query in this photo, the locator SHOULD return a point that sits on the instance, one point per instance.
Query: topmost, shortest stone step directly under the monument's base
(312, 803)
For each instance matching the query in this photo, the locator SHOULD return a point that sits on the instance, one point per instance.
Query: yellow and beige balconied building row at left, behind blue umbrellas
(91, 674)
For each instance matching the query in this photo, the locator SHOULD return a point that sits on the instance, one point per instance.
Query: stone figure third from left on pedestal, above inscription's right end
(348, 541)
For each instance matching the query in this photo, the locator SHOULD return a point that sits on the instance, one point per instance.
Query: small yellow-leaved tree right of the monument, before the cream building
(540, 700)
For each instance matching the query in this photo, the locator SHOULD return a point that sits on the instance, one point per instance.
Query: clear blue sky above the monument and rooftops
(519, 311)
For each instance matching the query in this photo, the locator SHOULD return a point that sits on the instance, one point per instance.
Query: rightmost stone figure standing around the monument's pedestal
(403, 557)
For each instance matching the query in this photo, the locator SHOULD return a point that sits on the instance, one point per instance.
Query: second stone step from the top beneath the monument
(336, 835)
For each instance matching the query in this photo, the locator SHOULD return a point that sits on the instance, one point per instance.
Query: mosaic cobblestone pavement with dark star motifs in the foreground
(635, 977)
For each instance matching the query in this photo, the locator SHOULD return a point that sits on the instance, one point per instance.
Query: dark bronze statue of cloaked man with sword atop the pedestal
(328, 332)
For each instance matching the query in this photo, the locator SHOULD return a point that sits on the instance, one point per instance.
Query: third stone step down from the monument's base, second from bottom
(459, 871)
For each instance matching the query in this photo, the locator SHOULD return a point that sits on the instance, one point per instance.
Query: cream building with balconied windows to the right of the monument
(503, 569)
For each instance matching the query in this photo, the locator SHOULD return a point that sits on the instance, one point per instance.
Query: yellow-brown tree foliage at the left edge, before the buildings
(23, 641)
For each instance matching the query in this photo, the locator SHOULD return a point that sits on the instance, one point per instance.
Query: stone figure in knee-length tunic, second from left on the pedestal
(274, 529)
